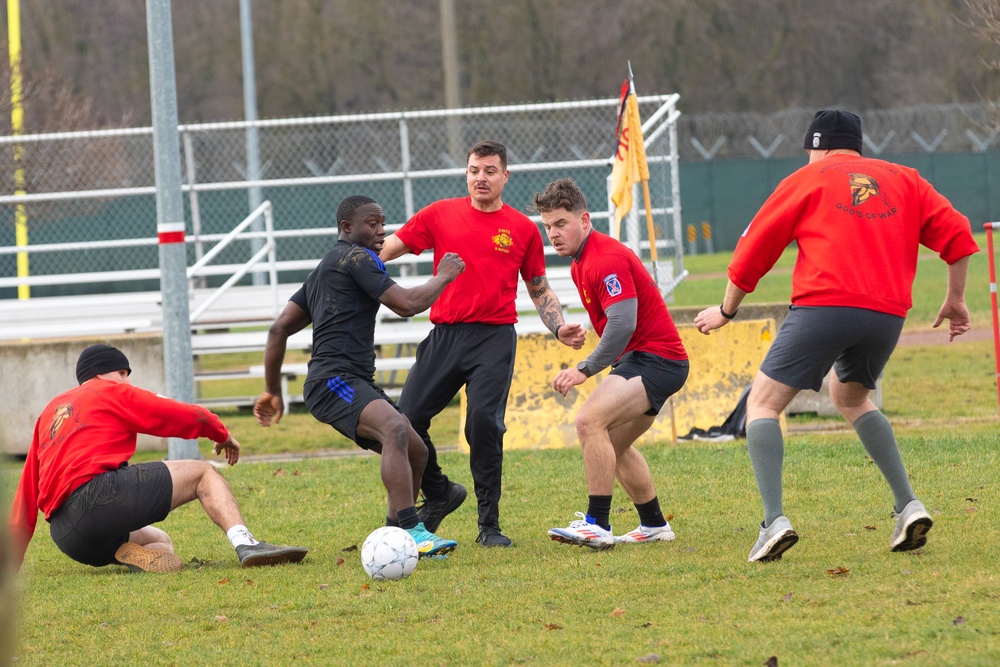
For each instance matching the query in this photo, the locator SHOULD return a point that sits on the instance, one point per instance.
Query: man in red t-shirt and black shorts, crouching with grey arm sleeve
(649, 364)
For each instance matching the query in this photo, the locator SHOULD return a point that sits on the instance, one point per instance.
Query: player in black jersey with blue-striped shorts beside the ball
(341, 298)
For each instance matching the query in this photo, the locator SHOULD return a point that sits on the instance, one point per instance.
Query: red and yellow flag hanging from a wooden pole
(630, 159)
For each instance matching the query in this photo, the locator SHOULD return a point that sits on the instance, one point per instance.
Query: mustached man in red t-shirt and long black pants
(473, 339)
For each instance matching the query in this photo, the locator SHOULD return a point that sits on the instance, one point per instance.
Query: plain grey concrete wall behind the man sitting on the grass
(35, 372)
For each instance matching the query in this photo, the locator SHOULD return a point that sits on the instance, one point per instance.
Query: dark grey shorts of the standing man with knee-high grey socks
(855, 342)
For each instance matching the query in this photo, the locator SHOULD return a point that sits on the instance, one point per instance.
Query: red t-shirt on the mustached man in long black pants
(496, 247)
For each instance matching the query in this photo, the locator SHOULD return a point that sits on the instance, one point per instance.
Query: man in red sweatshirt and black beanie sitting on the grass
(99, 508)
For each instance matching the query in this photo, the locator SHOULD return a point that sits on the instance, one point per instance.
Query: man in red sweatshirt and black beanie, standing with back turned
(858, 223)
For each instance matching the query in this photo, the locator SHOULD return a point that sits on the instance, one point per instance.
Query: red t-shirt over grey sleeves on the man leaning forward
(607, 272)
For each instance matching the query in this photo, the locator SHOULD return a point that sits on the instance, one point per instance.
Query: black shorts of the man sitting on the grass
(97, 517)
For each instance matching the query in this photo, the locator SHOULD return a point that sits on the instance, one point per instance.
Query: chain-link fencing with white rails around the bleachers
(88, 186)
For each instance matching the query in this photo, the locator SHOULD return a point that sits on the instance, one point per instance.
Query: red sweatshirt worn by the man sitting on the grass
(89, 430)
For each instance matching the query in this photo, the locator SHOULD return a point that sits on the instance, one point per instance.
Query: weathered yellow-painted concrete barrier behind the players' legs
(538, 417)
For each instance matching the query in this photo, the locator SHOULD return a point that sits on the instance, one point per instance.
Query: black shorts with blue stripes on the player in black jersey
(339, 402)
